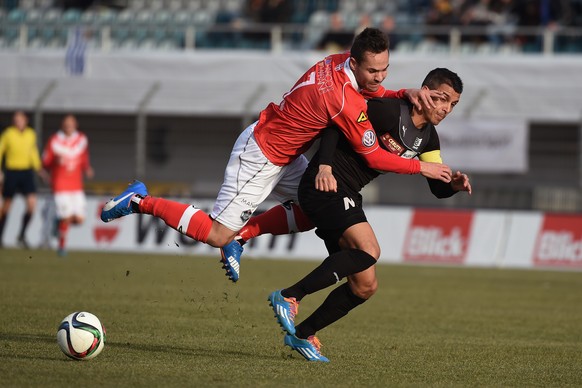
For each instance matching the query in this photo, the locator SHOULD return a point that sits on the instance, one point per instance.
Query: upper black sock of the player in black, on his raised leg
(331, 271)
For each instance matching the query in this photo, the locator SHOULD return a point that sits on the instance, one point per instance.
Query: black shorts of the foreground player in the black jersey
(332, 213)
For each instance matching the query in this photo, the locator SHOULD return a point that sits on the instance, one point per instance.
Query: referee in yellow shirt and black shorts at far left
(19, 152)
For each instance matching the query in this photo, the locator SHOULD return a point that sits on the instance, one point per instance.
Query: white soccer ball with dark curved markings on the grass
(81, 336)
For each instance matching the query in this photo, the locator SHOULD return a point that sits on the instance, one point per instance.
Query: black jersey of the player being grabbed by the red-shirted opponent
(396, 134)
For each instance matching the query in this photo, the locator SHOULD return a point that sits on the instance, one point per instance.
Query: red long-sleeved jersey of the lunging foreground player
(327, 94)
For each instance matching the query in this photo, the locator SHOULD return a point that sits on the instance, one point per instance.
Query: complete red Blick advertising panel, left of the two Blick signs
(438, 236)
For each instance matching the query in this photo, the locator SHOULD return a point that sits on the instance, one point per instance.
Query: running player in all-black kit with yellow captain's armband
(336, 209)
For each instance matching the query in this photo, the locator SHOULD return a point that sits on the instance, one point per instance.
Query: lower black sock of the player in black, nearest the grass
(337, 305)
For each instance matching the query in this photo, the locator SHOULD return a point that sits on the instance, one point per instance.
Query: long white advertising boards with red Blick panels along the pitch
(504, 239)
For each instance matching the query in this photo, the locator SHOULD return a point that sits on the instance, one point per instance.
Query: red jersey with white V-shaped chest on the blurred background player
(66, 157)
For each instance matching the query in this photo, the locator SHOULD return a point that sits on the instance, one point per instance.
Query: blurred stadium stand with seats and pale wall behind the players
(163, 87)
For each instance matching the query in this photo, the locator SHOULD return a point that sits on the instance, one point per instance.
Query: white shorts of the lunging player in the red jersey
(249, 179)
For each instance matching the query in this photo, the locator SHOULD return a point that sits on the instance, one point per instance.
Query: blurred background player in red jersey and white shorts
(66, 157)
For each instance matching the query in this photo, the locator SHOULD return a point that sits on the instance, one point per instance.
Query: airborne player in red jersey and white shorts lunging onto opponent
(267, 156)
